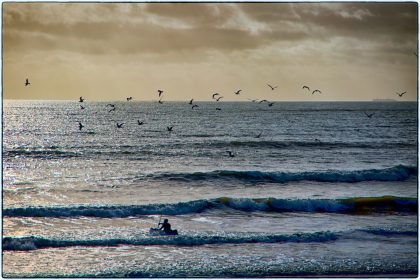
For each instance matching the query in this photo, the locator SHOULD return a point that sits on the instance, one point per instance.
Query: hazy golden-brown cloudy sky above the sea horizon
(109, 51)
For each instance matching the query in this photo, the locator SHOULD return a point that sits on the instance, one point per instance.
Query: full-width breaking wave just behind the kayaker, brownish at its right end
(356, 205)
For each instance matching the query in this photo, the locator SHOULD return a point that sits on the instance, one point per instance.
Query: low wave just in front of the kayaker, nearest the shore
(33, 242)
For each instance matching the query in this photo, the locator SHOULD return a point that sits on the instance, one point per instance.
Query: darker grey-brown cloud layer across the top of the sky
(161, 27)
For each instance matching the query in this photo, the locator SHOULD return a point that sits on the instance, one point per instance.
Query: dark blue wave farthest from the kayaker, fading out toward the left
(396, 173)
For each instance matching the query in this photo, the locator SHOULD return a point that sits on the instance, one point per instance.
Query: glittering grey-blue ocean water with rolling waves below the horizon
(325, 190)
